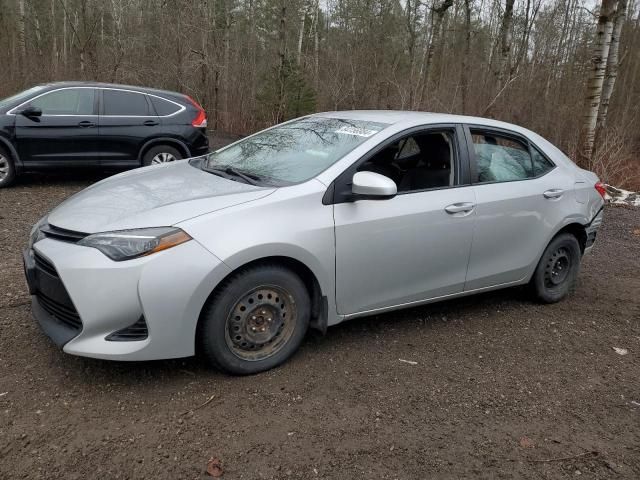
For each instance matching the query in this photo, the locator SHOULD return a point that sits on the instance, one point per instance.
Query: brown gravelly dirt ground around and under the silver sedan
(502, 387)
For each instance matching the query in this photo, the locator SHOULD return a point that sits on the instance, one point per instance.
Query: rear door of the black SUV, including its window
(127, 121)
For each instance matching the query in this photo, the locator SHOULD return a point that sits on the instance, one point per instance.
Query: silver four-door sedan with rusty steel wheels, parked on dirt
(312, 222)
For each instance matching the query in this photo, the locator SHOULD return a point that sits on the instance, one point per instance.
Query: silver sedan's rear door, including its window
(520, 197)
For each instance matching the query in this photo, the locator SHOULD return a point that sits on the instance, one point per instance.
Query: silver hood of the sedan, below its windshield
(155, 196)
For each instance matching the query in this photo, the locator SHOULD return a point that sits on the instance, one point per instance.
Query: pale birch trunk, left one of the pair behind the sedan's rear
(596, 79)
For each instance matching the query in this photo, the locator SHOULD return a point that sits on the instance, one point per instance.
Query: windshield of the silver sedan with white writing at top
(296, 151)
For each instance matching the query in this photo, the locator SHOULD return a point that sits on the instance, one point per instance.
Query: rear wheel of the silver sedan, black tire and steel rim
(557, 271)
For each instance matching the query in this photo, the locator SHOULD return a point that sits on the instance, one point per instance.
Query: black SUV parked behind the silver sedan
(73, 124)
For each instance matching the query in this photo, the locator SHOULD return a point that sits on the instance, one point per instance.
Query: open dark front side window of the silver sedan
(420, 161)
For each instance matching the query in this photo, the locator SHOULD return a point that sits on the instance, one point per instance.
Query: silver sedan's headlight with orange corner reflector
(128, 244)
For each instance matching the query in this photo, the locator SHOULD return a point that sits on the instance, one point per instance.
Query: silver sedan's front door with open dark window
(416, 245)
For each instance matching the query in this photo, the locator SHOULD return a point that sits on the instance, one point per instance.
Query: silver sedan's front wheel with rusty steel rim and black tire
(244, 328)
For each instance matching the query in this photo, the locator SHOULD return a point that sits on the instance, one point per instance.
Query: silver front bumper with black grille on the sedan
(167, 290)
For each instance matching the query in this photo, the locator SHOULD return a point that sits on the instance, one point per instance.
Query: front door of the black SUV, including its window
(65, 134)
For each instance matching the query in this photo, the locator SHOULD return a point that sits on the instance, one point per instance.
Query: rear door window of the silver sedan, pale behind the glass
(501, 158)
